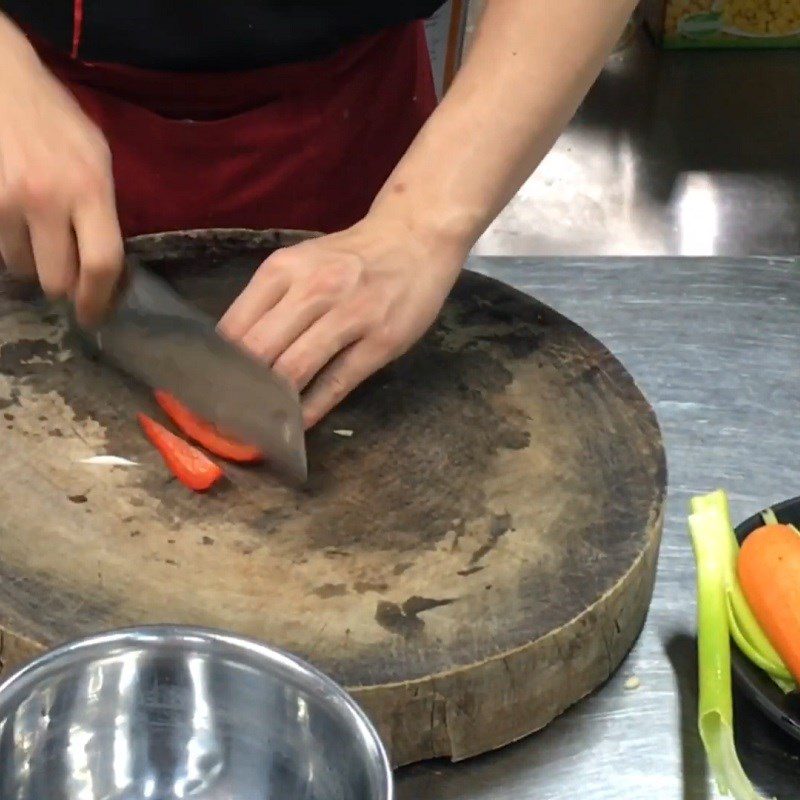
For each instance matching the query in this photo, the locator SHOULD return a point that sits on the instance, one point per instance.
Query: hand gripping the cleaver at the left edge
(58, 218)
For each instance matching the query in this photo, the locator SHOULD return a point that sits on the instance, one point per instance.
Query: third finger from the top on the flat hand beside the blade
(325, 339)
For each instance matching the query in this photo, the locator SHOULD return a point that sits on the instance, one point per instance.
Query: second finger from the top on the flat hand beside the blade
(294, 314)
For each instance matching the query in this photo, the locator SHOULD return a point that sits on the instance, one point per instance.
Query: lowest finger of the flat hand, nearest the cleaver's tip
(339, 378)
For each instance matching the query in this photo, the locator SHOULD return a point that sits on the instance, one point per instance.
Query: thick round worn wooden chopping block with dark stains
(476, 557)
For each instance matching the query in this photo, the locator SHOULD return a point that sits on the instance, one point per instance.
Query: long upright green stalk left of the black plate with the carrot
(715, 717)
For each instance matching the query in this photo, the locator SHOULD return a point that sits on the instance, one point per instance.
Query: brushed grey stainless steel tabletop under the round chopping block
(715, 345)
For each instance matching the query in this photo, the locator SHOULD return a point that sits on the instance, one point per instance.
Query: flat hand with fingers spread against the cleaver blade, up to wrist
(329, 312)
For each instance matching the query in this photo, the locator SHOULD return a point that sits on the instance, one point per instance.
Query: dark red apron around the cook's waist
(304, 146)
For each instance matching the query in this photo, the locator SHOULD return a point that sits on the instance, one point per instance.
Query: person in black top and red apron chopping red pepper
(137, 116)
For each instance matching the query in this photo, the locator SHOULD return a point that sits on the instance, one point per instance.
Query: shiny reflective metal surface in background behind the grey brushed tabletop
(672, 153)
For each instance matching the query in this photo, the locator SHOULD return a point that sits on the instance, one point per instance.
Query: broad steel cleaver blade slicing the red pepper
(158, 338)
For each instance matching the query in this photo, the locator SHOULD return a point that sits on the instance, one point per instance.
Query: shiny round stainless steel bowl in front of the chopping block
(165, 712)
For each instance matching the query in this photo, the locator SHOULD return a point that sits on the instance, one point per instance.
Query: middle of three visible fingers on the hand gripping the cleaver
(55, 253)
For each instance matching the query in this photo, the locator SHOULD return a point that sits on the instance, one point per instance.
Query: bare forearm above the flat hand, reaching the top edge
(527, 71)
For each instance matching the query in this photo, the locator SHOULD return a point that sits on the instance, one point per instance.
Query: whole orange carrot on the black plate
(769, 573)
